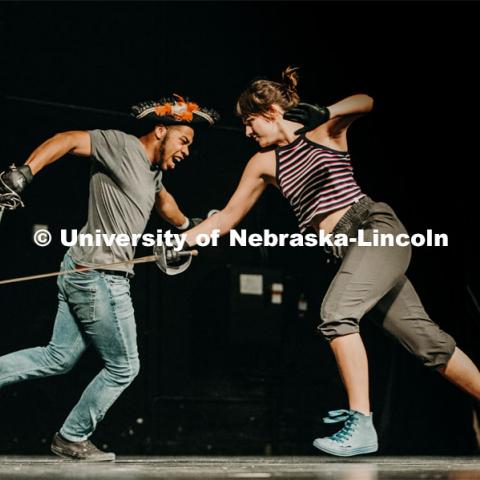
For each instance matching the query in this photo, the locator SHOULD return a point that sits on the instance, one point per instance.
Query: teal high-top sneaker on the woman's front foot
(358, 435)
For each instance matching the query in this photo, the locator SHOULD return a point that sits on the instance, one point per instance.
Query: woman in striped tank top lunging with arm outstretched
(304, 154)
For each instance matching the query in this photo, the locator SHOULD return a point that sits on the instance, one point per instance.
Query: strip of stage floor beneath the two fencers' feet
(317, 467)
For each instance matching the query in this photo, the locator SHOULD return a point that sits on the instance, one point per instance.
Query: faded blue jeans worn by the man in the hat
(94, 307)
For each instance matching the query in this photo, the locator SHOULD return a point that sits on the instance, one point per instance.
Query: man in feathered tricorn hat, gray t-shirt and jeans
(95, 305)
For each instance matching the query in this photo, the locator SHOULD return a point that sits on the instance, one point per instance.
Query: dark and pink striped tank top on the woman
(315, 179)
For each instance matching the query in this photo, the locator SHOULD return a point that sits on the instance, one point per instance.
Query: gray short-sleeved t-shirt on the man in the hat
(122, 195)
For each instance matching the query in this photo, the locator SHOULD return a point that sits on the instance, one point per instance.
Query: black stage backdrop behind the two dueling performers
(225, 373)
